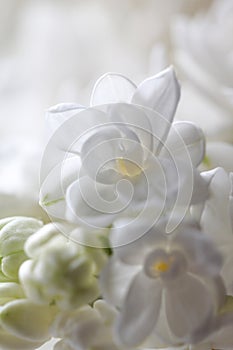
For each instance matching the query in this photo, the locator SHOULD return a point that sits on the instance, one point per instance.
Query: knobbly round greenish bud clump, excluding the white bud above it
(61, 275)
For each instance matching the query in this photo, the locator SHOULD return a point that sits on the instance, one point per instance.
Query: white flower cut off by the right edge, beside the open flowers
(216, 219)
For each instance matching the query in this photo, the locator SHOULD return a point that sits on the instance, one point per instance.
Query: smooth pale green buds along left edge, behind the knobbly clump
(24, 325)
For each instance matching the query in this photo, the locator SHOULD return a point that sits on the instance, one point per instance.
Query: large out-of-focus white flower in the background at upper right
(203, 53)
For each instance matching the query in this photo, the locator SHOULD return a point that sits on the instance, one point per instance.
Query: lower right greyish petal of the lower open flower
(188, 306)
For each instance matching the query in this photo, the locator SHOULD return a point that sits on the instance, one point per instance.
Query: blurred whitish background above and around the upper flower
(52, 51)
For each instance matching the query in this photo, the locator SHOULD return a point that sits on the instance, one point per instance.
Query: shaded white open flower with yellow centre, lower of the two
(166, 286)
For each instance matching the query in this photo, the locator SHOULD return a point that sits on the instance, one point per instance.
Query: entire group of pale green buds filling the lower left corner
(41, 274)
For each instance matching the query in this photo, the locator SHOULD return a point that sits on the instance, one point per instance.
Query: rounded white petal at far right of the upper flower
(185, 138)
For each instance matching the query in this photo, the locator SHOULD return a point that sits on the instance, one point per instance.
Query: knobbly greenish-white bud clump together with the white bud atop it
(59, 271)
